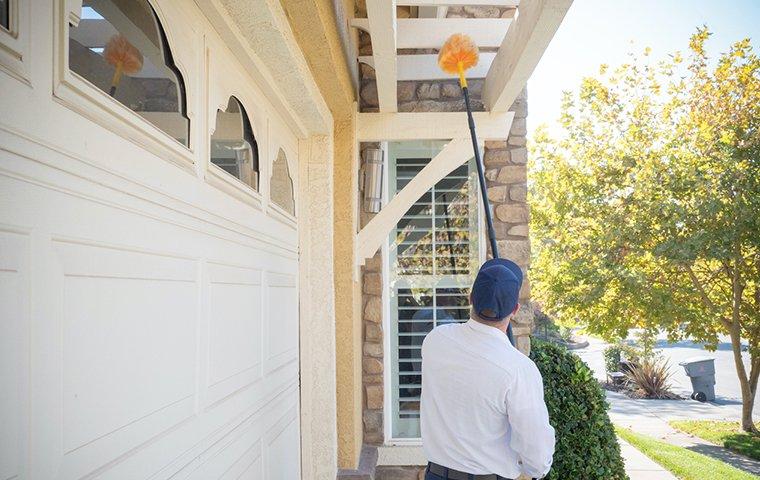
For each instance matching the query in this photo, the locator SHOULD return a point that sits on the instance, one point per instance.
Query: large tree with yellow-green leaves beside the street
(646, 209)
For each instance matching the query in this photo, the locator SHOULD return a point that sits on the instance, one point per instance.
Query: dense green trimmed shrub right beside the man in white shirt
(586, 444)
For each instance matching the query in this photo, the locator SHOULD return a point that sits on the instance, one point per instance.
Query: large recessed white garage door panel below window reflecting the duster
(128, 346)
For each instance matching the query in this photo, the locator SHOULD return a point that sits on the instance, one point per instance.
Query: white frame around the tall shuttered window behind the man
(388, 364)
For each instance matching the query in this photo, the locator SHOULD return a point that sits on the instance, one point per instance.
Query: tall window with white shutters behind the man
(434, 254)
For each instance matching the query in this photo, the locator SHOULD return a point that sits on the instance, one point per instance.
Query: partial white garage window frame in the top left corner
(14, 41)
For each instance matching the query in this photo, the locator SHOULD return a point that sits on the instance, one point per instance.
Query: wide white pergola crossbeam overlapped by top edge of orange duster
(433, 32)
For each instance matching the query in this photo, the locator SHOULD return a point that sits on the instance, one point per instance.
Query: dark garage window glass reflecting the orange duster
(121, 48)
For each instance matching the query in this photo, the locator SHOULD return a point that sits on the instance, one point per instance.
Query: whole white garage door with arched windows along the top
(148, 299)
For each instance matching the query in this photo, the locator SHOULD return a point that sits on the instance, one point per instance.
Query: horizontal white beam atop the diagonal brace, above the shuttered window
(378, 127)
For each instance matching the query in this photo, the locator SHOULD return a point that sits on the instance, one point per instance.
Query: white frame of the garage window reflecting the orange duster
(78, 94)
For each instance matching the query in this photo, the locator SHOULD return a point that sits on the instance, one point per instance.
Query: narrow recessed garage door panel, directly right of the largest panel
(235, 329)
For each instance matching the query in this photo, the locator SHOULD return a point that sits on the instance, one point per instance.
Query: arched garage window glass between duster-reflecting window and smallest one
(233, 147)
